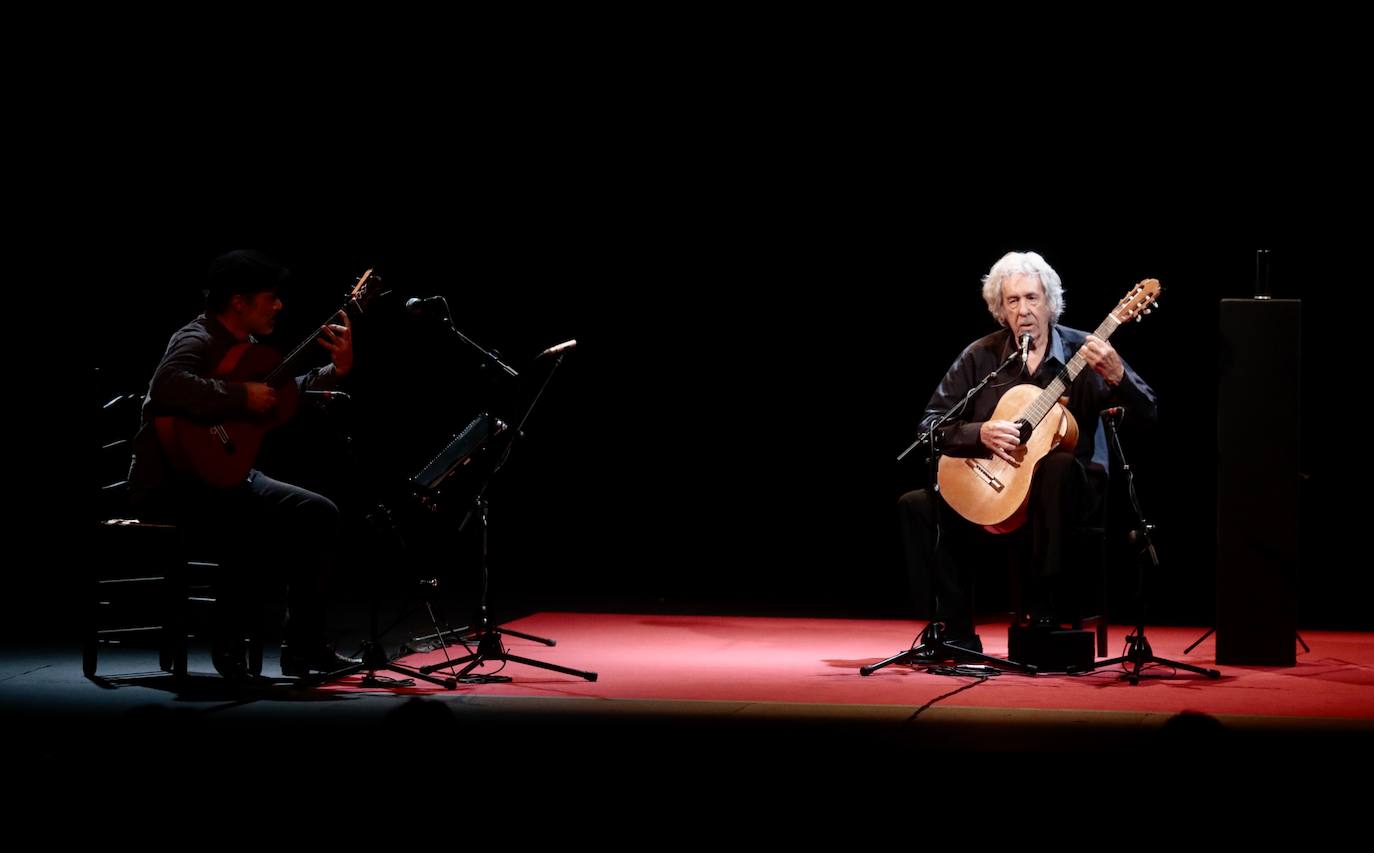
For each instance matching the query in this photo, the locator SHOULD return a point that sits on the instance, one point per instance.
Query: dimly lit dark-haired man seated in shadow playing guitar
(264, 527)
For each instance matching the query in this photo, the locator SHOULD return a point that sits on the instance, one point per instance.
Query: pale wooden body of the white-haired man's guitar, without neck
(991, 491)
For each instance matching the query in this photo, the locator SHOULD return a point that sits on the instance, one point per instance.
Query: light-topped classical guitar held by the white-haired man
(991, 491)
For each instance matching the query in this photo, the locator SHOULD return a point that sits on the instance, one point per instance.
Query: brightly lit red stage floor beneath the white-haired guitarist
(817, 663)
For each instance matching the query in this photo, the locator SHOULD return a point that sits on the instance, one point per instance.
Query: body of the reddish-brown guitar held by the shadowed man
(223, 454)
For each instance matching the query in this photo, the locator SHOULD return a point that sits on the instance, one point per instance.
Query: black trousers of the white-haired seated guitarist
(942, 547)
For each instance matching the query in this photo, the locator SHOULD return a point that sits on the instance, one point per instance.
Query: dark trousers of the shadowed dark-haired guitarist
(264, 534)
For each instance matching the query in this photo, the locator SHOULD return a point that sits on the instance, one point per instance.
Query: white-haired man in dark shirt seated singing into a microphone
(1026, 297)
